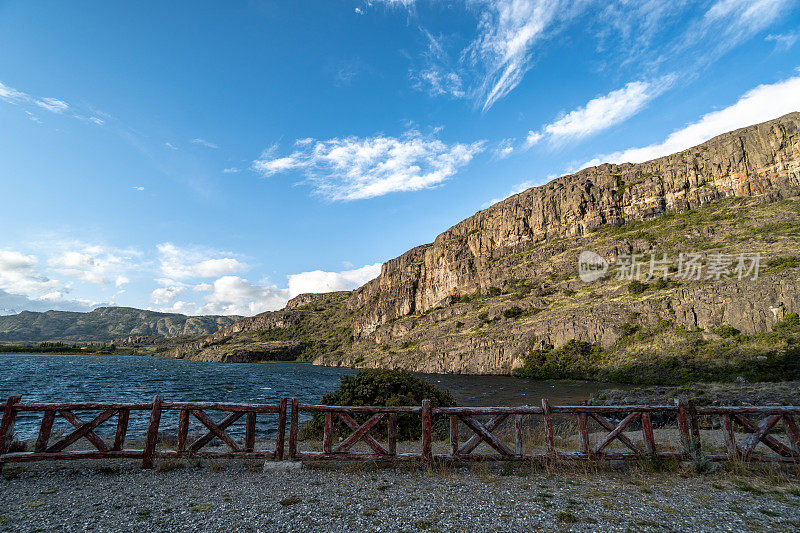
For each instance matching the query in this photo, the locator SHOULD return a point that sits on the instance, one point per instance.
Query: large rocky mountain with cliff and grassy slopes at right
(499, 291)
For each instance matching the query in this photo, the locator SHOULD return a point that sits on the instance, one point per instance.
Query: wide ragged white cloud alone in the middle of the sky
(353, 168)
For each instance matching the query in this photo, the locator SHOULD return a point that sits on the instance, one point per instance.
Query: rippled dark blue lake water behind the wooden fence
(104, 378)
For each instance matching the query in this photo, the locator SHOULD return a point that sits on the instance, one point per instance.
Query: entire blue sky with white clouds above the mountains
(223, 157)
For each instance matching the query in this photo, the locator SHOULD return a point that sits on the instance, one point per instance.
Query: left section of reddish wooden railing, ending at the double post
(44, 449)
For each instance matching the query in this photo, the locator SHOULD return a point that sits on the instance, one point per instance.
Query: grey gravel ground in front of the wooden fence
(238, 496)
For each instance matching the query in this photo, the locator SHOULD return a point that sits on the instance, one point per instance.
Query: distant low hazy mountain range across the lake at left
(105, 324)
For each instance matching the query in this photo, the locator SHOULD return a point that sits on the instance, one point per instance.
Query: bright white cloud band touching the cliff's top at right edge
(762, 103)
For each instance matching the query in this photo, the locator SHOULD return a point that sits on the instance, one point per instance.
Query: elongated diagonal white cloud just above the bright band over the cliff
(602, 112)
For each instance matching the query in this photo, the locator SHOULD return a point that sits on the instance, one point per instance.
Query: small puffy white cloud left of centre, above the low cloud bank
(188, 262)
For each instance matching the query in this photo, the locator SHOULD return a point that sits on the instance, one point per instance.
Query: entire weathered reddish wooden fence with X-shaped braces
(481, 425)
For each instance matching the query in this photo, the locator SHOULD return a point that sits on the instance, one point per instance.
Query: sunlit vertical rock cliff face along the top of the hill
(761, 160)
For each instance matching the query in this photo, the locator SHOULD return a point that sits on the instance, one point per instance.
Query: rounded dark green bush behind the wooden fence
(381, 387)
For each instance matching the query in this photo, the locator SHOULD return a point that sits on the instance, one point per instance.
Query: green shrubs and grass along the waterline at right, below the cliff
(660, 354)
